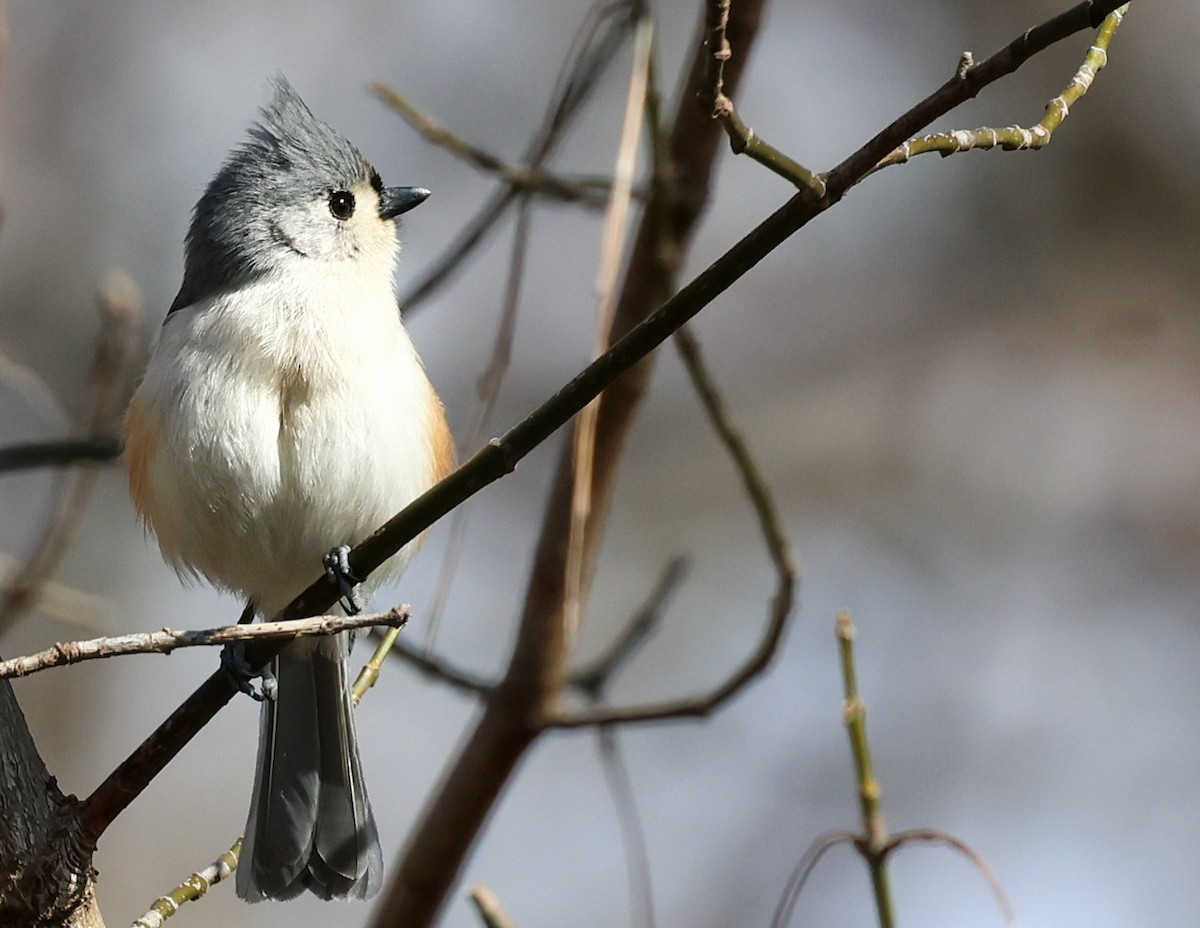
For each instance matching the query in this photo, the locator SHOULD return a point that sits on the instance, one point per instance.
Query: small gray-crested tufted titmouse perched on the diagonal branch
(285, 412)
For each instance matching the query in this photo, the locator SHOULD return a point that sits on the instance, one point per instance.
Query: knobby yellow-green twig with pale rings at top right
(1016, 139)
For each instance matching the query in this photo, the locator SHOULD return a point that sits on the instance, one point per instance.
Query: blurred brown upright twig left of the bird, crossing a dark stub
(118, 360)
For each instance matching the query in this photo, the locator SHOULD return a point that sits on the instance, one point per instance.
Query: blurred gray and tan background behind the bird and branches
(974, 387)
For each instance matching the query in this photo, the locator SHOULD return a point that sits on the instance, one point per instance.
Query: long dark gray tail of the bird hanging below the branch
(310, 824)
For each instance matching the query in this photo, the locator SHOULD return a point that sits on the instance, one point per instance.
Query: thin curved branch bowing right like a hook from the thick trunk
(778, 549)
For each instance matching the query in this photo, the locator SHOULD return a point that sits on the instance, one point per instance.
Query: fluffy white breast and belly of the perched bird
(293, 416)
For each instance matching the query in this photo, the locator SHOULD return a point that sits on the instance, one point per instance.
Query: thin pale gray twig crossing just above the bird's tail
(167, 640)
